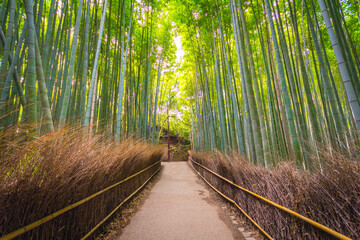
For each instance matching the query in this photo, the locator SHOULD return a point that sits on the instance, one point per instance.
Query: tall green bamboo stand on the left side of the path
(97, 63)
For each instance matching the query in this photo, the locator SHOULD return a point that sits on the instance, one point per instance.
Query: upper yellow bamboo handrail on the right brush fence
(295, 214)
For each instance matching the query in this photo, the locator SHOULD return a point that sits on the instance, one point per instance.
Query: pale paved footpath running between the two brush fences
(179, 207)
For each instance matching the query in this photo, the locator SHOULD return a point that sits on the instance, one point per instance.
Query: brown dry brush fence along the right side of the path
(330, 197)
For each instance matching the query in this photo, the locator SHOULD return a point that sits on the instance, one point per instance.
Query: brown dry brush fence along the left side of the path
(46, 174)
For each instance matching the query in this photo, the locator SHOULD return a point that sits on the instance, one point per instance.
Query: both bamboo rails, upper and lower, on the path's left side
(33, 225)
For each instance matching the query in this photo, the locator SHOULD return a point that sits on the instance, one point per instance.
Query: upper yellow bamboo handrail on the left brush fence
(33, 225)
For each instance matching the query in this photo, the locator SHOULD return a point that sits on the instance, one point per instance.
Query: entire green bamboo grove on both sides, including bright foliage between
(271, 79)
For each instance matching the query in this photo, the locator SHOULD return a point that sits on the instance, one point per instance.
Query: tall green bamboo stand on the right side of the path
(274, 79)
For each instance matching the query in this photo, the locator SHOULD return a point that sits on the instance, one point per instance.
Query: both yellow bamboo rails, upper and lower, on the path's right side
(295, 214)
